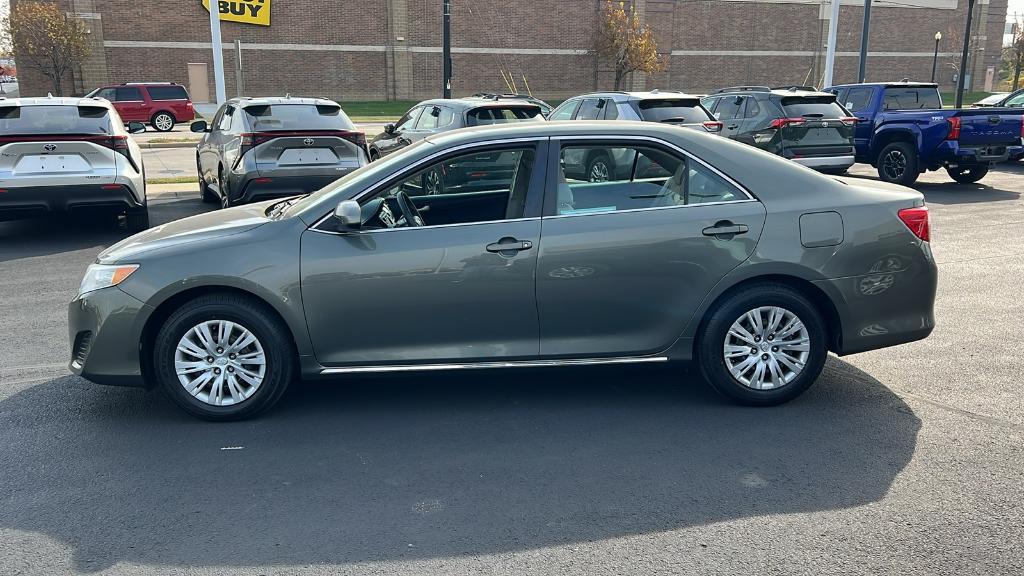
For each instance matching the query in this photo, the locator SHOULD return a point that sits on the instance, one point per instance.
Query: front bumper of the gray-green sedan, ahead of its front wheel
(105, 330)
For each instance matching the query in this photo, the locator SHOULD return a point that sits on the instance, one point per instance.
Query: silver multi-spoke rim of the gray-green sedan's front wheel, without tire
(221, 363)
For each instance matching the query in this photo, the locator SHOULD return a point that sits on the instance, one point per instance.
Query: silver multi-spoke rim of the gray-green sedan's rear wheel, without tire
(766, 348)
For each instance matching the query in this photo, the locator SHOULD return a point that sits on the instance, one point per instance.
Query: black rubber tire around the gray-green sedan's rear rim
(712, 341)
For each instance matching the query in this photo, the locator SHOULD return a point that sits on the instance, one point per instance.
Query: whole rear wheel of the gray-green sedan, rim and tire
(763, 346)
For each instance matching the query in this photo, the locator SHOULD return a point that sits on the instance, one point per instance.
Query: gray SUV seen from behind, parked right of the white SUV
(258, 149)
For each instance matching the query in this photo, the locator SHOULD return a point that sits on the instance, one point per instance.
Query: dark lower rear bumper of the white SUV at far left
(28, 201)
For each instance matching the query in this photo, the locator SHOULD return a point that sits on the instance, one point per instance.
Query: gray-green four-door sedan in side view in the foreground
(704, 251)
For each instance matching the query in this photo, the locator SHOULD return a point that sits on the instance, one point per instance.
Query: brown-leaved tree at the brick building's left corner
(46, 39)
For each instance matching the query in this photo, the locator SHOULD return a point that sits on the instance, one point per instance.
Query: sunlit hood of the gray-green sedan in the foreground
(203, 227)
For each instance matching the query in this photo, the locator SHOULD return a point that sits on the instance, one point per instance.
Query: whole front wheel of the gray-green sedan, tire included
(223, 357)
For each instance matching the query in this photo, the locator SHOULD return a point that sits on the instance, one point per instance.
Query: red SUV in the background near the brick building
(161, 104)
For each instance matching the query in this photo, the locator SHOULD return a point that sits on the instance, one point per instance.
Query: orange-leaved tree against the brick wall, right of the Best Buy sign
(626, 42)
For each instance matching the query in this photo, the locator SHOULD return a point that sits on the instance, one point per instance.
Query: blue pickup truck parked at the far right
(904, 131)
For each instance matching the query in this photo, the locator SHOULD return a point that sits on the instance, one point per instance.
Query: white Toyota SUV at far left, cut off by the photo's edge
(61, 155)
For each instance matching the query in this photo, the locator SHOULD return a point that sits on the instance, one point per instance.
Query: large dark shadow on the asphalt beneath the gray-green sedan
(387, 469)
